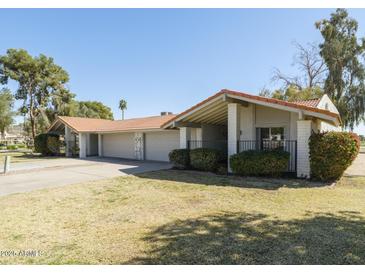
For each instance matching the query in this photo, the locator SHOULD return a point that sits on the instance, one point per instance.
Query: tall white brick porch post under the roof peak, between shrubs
(233, 129)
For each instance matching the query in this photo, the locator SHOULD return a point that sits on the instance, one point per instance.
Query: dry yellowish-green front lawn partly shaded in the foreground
(181, 217)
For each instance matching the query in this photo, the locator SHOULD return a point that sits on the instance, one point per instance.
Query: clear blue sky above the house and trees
(164, 59)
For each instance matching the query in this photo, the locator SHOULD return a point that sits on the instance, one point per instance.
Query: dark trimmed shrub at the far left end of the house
(48, 144)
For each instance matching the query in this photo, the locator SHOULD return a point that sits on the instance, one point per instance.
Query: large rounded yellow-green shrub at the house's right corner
(331, 153)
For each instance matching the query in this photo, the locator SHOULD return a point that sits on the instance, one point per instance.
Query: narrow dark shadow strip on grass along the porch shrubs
(206, 178)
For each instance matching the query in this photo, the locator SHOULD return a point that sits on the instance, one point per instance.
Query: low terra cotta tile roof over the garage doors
(101, 125)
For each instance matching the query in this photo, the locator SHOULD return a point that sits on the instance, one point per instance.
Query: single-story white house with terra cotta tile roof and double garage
(231, 121)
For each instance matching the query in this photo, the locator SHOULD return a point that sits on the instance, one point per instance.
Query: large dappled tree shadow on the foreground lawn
(242, 238)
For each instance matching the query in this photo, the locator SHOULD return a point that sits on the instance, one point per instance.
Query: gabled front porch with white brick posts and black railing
(233, 125)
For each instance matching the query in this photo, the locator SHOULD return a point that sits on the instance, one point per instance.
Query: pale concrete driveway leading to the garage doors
(59, 172)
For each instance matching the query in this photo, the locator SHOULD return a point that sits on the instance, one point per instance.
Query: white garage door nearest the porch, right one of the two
(159, 144)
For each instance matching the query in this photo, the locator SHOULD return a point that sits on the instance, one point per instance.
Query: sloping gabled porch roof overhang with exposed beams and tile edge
(213, 110)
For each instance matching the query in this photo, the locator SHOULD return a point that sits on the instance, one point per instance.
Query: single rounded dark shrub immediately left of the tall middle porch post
(205, 159)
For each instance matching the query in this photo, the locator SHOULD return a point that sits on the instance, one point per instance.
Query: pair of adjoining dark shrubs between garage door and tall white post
(205, 159)
